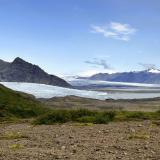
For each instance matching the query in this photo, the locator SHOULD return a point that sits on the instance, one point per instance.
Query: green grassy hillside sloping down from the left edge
(18, 105)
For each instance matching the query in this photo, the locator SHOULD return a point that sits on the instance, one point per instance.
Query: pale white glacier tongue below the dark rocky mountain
(48, 91)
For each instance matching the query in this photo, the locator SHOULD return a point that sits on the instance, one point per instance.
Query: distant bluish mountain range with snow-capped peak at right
(146, 76)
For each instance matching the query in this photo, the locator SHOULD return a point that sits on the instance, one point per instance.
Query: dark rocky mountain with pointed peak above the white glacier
(22, 71)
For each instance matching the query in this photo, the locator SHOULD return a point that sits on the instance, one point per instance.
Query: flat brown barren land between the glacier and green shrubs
(72, 102)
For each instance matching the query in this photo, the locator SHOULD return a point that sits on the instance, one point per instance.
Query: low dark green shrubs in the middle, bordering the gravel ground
(84, 116)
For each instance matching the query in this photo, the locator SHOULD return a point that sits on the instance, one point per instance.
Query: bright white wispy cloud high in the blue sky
(115, 30)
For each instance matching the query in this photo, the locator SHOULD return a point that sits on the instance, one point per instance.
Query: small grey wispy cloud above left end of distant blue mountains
(99, 62)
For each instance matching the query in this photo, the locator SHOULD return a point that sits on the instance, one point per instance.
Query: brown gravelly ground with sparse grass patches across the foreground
(117, 140)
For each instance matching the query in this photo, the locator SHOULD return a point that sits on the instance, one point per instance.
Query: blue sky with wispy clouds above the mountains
(81, 37)
